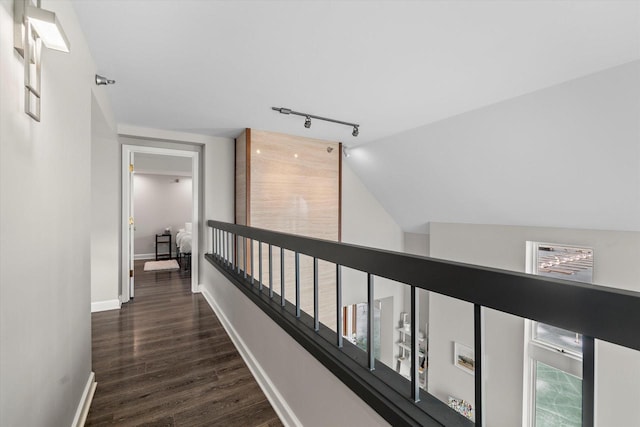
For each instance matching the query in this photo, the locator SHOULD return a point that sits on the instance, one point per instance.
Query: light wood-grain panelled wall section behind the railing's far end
(290, 184)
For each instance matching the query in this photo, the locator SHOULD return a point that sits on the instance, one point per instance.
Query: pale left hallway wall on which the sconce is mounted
(45, 224)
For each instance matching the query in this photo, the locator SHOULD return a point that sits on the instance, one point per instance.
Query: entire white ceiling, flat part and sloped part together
(408, 72)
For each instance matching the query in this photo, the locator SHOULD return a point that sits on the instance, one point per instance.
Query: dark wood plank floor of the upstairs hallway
(165, 360)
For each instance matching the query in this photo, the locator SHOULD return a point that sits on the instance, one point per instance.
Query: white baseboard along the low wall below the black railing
(285, 413)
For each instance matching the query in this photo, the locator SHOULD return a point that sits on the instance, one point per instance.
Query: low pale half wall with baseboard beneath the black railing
(308, 394)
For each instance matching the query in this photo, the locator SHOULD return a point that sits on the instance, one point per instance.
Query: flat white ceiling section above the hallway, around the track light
(215, 67)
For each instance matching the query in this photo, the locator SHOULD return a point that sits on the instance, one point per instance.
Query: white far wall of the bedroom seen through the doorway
(159, 202)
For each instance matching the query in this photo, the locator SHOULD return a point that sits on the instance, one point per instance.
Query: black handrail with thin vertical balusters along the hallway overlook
(595, 311)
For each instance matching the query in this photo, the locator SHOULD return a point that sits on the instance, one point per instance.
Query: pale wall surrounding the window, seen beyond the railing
(615, 264)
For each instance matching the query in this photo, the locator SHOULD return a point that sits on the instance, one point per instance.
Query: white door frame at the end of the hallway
(127, 151)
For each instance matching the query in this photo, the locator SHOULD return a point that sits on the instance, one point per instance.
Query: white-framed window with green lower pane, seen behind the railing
(553, 356)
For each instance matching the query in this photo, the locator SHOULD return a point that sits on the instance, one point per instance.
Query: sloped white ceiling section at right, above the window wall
(572, 149)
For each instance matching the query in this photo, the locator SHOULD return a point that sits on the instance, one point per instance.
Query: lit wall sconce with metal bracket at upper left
(33, 27)
